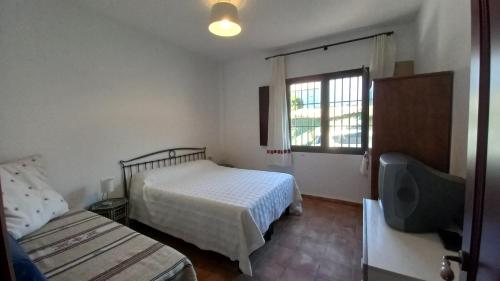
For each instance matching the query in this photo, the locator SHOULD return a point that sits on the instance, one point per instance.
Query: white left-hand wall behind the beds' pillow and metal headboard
(86, 92)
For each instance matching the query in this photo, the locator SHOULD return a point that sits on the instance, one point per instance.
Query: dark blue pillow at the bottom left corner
(24, 268)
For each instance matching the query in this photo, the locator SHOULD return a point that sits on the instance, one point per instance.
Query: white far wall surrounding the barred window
(328, 175)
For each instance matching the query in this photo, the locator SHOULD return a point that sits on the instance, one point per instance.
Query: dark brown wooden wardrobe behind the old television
(412, 115)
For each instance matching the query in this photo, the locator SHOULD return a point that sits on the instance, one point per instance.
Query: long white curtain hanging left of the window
(278, 144)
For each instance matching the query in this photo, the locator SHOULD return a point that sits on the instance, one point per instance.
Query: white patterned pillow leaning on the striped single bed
(29, 201)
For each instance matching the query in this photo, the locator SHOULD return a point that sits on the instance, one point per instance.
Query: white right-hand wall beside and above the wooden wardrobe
(444, 39)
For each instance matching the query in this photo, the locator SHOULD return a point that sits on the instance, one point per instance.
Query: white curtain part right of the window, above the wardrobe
(383, 57)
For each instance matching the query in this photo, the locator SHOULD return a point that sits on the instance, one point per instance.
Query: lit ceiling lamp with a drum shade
(224, 20)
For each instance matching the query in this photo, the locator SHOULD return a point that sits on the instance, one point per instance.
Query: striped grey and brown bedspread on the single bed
(81, 245)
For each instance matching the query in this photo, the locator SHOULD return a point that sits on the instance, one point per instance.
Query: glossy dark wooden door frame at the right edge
(479, 99)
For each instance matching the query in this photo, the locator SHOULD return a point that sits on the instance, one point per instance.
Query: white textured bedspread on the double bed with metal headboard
(225, 210)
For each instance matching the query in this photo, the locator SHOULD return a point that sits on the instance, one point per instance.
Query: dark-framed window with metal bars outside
(328, 112)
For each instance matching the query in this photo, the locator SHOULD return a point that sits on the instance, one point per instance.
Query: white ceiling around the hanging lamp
(266, 24)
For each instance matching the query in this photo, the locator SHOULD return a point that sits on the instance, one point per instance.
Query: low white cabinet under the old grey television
(389, 254)
